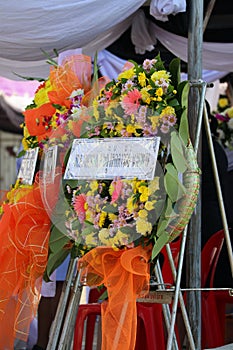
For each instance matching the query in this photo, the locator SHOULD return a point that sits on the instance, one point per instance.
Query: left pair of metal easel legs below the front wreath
(62, 329)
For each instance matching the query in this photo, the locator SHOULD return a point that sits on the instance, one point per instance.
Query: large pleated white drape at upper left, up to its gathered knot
(28, 27)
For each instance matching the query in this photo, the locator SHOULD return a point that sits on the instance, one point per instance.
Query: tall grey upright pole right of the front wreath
(193, 248)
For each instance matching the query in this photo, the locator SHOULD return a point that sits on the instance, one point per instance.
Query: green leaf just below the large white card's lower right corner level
(173, 186)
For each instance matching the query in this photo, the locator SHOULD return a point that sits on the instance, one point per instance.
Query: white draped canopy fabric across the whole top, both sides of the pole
(27, 28)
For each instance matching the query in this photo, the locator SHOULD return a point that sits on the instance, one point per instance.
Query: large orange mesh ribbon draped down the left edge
(24, 237)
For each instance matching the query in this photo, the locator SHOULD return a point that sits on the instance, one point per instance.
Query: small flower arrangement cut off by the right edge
(225, 127)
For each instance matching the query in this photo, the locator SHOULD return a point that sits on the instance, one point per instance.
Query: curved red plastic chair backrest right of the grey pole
(209, 258)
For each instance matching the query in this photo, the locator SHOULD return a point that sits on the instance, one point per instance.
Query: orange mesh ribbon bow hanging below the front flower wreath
(125, 273)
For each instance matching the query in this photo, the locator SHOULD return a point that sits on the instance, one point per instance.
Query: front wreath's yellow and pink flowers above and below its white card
(144, 101)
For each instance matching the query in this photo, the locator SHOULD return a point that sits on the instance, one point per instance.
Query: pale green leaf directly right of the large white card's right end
(177, 152)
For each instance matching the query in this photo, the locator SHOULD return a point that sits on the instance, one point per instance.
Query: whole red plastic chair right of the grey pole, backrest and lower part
(212, 323)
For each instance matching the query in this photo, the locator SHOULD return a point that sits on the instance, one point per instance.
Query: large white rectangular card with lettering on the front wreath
(108, 158)
